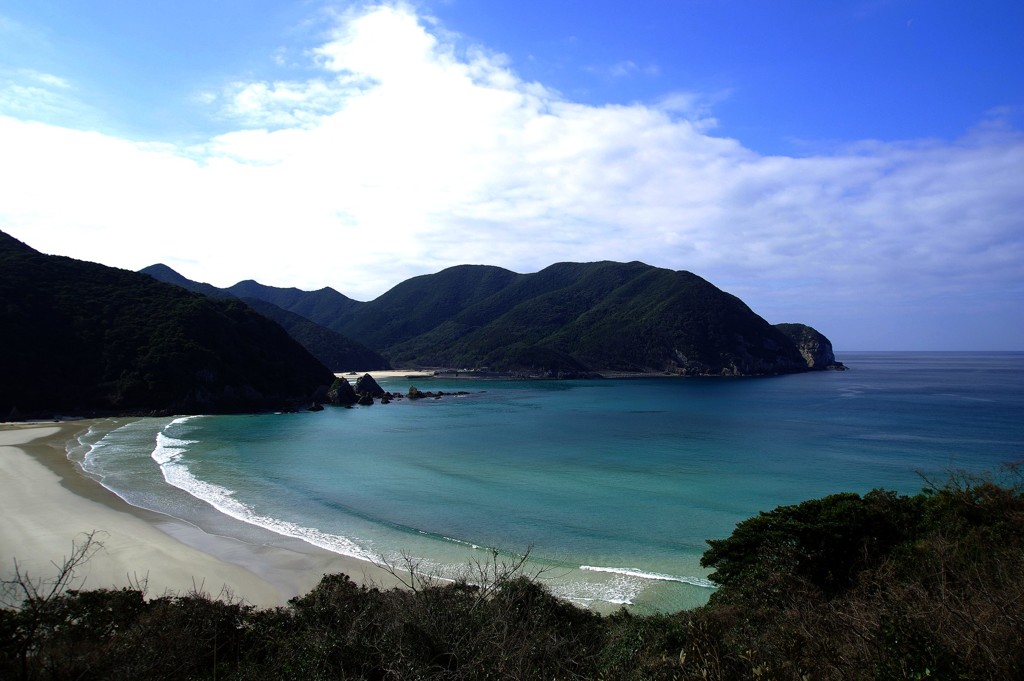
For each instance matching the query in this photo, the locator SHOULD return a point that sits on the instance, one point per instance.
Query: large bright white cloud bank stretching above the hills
(406, 155)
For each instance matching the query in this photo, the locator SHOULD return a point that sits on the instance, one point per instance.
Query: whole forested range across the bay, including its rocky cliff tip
(568, 320)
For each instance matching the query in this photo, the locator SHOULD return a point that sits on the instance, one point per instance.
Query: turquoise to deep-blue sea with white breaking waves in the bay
(611, 488)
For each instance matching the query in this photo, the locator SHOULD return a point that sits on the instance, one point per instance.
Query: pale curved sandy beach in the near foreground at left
(48, 504)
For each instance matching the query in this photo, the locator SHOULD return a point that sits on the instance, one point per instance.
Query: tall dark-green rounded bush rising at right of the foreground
(880, 587)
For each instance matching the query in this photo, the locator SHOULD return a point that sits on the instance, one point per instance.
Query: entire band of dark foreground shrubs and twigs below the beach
(846, 587)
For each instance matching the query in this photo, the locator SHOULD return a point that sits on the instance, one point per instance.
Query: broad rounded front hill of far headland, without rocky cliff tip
(608, 317)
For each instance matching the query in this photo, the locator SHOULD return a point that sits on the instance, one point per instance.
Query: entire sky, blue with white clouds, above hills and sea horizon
(857, 166)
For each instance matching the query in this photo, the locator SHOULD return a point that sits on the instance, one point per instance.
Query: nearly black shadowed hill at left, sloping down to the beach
(82, 338)
